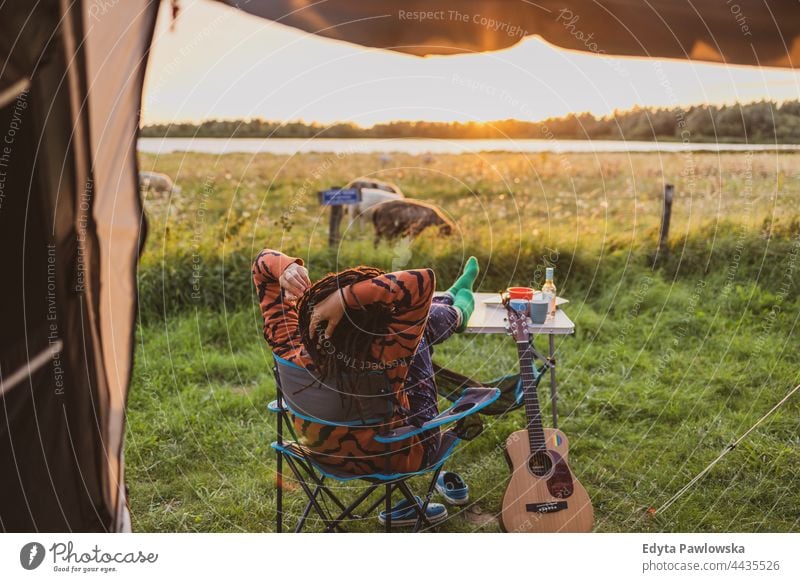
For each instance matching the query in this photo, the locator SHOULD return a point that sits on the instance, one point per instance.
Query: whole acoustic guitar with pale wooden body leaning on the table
(543, 494)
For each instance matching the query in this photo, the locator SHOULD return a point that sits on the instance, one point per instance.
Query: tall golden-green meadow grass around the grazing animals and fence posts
(514, 212)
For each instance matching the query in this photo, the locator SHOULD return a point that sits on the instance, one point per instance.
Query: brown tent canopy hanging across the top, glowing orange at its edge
(744, 32)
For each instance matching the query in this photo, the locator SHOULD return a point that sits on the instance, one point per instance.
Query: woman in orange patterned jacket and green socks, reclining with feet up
(356, 321)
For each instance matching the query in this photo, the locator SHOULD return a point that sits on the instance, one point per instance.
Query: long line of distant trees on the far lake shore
(762, 121)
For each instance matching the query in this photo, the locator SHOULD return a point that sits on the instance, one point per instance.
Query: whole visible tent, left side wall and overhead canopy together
(71, 77)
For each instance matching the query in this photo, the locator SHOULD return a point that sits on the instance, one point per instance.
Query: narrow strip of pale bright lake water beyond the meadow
(289, 146)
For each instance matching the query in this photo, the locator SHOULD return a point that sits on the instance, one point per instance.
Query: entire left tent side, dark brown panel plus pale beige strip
(70, 217)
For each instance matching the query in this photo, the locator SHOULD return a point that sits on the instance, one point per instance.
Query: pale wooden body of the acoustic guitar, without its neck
(543, 494)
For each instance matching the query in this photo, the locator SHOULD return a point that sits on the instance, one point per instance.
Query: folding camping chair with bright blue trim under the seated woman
(302, 394)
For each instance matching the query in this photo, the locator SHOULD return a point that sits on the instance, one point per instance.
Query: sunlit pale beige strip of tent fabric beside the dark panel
(116, 50)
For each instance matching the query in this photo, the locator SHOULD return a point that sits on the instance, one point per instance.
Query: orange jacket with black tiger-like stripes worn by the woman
(408, 294)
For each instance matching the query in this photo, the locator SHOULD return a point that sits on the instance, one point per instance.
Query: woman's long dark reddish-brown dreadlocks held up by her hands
(346, 356)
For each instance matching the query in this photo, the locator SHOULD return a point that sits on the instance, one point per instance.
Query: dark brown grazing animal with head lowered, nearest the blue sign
(408, 218)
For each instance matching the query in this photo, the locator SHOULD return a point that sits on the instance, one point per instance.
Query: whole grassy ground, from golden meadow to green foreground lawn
(667, 367)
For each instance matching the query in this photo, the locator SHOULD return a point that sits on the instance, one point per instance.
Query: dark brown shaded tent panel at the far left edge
(49, 453)
